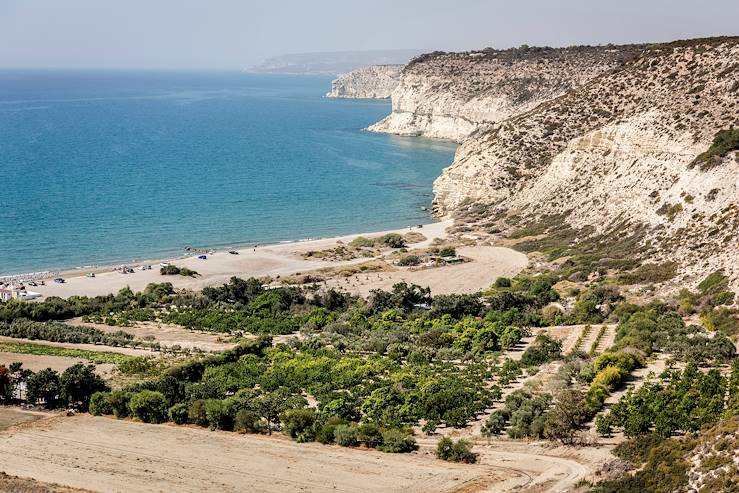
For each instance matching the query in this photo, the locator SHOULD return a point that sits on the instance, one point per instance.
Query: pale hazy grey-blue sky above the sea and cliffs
(234, 34)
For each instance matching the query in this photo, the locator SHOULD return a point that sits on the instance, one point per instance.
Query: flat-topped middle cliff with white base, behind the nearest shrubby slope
(450, 95)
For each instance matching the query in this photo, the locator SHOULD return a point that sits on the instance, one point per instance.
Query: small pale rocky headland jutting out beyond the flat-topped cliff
(373, 82)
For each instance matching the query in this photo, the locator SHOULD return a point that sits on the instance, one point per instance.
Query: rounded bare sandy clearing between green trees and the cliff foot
(488, 263)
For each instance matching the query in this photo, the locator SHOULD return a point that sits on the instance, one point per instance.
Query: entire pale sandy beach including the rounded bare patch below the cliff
(280, 260)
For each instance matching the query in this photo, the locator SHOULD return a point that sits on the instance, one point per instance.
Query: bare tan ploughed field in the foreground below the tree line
(109, 455)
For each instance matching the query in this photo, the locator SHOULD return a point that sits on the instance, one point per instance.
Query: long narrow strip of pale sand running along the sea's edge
(270, 260)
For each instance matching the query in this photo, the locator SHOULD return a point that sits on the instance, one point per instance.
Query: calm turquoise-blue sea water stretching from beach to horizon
(100, 167)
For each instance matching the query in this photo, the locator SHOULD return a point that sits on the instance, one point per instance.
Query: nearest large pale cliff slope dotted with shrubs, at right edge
(650, 147)
